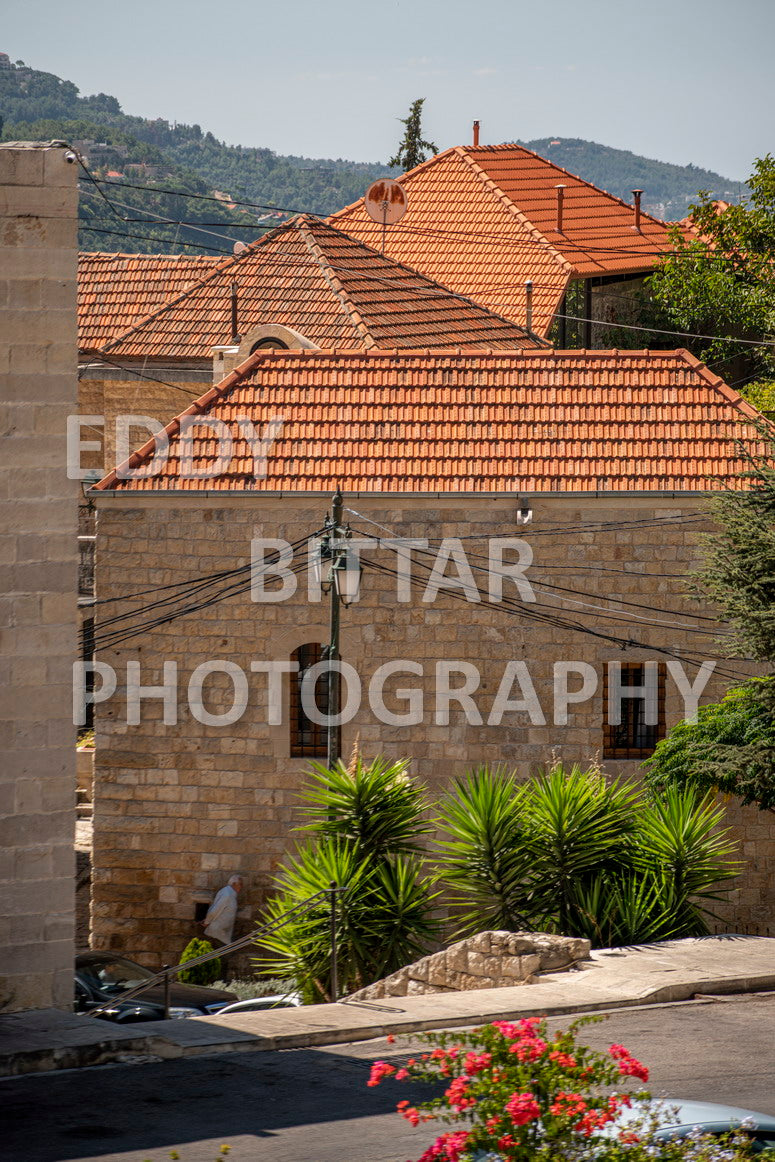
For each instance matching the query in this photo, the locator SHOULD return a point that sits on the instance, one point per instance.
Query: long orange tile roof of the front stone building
(572, 421)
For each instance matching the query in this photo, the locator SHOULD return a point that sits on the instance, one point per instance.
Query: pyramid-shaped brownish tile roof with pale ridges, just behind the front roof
(338, 292)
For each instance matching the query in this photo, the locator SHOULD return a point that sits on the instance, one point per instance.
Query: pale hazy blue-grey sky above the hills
(680, 81)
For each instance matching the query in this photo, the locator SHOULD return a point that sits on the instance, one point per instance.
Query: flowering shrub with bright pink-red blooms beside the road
(528, 1096)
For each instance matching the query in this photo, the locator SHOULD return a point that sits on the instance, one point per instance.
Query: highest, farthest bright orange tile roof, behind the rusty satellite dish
(483, 220)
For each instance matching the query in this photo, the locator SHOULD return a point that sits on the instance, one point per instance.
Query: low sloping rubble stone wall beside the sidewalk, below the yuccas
(490, 960)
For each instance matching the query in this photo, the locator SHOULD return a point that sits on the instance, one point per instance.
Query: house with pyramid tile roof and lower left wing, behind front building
(155, 329)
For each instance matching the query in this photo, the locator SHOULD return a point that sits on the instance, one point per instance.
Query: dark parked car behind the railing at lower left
(102, 978)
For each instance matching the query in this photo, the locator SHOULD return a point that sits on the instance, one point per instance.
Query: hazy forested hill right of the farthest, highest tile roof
(669, 190)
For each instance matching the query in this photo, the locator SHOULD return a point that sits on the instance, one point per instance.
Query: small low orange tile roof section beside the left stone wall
(116, 292)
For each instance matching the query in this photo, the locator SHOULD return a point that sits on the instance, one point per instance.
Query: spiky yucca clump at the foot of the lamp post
(367, 826)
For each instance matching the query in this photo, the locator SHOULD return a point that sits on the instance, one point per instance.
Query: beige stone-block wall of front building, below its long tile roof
(181, 807)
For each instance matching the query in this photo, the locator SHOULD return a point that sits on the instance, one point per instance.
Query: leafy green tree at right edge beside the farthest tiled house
(721, 282)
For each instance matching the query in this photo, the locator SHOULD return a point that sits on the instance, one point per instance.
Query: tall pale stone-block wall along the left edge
(39, 549)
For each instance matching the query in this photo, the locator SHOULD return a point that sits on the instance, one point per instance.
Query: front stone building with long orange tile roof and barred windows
(202, 754)
